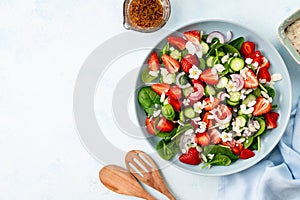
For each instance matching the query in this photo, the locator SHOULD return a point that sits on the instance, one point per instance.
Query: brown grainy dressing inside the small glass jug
(146, 13)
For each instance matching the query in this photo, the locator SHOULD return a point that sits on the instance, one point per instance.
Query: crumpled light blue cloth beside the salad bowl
(276, 177)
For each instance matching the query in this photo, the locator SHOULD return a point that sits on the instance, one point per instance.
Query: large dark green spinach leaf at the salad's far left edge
(148, 98)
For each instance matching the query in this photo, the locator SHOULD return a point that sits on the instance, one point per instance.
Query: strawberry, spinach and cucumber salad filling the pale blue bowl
(208, 98)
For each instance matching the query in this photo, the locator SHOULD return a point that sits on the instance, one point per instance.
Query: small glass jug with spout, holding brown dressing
(146, 15)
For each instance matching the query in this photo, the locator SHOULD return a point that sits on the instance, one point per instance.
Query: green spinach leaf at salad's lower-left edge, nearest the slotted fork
(167, 150)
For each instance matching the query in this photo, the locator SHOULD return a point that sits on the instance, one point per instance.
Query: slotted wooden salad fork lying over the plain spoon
(145, 170)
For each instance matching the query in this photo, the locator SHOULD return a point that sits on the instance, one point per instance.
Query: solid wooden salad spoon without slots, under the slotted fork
(121, 181)
